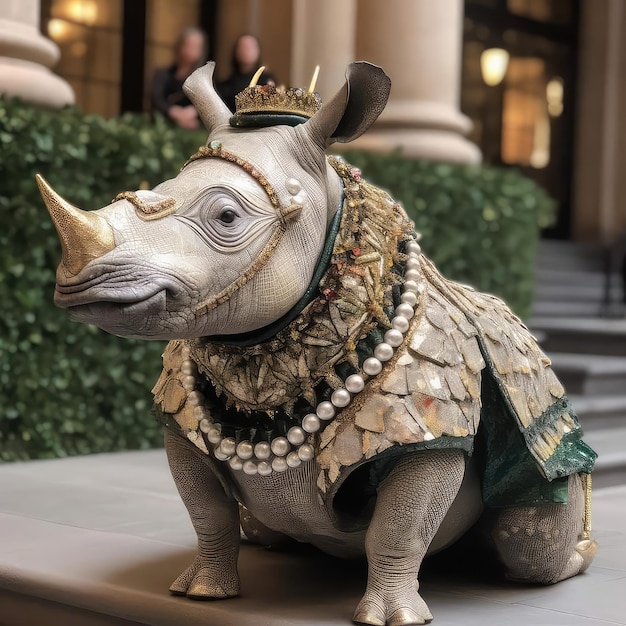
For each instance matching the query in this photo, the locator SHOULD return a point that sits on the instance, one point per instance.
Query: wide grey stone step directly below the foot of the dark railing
(588, 335)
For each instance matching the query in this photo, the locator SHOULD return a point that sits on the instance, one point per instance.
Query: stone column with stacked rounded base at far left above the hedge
(25, 56)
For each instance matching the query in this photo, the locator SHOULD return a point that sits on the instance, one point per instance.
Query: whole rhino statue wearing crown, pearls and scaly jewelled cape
(321, 376)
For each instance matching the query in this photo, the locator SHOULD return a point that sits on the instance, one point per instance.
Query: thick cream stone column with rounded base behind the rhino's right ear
(418, 43)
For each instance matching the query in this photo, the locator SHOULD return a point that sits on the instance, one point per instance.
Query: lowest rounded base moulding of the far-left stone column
(33, 83)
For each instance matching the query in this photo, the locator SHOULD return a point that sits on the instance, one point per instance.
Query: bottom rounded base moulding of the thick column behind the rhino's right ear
(429, 144)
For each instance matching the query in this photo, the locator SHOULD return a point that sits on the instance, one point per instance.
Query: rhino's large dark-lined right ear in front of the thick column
(354, 108)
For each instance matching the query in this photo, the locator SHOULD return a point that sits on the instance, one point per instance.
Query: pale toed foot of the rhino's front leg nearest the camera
(407, 609)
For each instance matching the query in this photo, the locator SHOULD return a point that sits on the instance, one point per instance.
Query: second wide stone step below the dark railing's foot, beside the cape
(590, 374)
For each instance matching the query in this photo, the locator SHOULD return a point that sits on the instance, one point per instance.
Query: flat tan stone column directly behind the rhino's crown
(323, 34)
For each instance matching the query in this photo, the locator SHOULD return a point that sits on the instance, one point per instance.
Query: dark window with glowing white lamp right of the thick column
(525, 119)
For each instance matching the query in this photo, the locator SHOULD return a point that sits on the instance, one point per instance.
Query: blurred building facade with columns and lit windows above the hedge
(533, 84)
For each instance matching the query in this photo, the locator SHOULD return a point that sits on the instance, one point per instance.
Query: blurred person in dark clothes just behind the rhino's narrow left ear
(190, 52)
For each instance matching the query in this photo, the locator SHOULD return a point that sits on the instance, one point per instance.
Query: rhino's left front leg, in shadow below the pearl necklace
(215, 518)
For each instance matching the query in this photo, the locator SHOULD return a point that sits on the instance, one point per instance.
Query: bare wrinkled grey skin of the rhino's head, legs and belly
(149, 285)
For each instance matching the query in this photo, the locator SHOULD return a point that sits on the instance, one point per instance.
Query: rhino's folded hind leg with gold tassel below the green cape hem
(542, 544)
